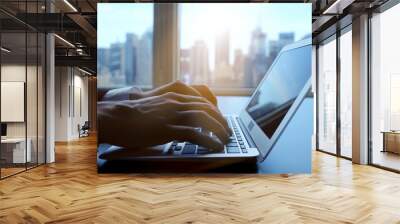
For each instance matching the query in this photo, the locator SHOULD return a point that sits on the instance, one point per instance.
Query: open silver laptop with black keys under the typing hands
(258, 126)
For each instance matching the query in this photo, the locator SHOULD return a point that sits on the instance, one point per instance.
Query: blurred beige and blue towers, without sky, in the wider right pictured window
(246, 70)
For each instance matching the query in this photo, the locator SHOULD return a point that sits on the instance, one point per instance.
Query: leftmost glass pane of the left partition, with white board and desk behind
(13, 89)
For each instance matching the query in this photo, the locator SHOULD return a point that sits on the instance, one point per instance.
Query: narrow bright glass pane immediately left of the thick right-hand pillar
(346, 94)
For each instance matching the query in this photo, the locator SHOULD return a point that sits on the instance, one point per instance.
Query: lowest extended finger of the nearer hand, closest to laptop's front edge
(190, 134)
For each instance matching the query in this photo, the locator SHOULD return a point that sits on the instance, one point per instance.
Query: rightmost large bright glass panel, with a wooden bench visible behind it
(385, 84)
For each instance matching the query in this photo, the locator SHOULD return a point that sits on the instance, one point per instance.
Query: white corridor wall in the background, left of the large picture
(70, 83)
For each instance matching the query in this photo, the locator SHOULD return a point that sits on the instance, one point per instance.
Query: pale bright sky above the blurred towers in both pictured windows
(238, 18)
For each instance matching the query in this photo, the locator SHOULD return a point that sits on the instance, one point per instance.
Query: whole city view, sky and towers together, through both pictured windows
(223, 45)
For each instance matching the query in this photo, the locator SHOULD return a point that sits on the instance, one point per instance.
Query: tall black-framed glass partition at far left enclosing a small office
(22, 88)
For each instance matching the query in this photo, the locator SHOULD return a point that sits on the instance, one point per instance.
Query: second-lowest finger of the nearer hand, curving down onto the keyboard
(203, 120)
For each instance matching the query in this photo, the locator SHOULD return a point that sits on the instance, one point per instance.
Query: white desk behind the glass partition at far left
(13, 150)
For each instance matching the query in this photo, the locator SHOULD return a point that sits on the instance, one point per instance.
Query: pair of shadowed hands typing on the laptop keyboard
(133, 119)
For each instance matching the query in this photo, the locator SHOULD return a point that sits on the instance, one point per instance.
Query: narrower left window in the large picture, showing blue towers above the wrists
(125, 45)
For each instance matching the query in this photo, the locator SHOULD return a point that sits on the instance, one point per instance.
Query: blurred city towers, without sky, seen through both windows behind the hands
(130, 62)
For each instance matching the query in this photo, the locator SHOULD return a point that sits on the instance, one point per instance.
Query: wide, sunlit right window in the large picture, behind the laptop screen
(231, 46)
